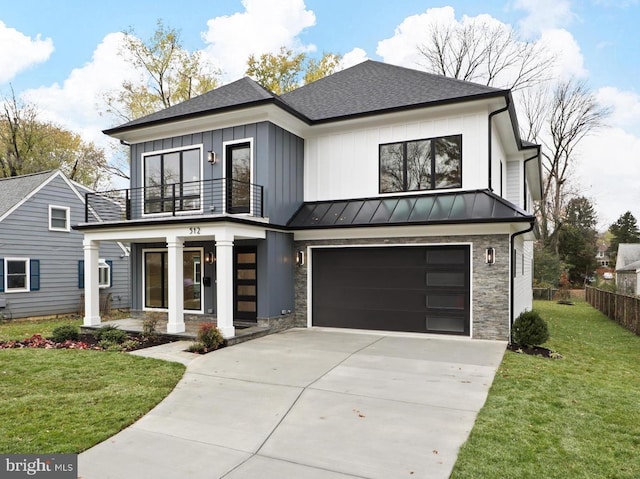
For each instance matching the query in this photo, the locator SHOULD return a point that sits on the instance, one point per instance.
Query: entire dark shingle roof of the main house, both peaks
(367, 88)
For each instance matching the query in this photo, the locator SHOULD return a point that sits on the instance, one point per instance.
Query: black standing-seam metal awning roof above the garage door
(479, 206)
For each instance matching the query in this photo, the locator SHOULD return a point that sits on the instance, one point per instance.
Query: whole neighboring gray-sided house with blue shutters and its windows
(41, 255)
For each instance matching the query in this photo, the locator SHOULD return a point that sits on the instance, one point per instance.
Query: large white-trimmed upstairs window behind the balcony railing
(172, 181)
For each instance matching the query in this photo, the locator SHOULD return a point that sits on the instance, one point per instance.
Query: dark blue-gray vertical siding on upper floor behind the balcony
(278, 162)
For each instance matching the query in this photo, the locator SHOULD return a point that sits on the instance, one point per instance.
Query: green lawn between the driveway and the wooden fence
(578, 417)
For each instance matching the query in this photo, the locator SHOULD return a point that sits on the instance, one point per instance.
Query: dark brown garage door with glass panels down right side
(400, 288)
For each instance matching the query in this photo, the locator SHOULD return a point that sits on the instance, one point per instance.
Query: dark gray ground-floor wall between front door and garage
(275, 274)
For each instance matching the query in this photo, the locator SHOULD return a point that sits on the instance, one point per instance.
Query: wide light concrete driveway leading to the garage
(314, 404)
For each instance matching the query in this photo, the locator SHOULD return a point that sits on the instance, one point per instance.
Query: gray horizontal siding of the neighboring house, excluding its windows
(25, 234)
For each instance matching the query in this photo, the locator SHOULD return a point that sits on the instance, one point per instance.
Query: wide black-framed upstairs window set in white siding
(418, 165)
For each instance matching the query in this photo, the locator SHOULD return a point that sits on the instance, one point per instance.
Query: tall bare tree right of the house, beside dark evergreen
(559, 119)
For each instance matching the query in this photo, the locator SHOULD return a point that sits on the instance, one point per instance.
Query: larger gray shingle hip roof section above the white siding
(373, 87)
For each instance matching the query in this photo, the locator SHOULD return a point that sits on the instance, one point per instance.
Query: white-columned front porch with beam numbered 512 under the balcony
(173, 236)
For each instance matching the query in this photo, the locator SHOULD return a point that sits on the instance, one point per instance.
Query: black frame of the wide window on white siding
(432, 173)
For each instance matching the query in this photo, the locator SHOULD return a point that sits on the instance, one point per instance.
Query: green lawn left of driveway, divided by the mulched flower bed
(65, 401)
